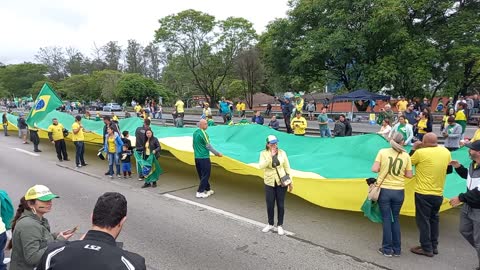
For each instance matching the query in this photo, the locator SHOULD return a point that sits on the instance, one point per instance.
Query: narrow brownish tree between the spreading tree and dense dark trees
(249, 69)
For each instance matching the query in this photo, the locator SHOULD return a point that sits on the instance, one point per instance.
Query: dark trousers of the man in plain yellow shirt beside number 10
(427, 218)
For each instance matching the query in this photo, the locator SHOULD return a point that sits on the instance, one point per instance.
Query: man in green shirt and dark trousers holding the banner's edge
(201, 151)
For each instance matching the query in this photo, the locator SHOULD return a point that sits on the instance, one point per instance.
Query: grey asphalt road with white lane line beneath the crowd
(172, 234)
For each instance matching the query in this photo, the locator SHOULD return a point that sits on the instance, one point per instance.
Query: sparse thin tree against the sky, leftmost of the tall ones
(54, 59)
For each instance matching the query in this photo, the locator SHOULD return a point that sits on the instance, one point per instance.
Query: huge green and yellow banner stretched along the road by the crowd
(327, 172)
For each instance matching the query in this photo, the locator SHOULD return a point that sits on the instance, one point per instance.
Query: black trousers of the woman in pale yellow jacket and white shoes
(272, 195)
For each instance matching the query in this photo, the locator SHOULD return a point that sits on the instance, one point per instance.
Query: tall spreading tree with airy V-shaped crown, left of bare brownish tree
(206, 46)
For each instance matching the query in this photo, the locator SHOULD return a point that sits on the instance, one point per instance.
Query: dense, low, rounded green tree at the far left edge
(18, 79)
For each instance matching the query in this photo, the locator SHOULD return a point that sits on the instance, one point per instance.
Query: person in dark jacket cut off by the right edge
(470, 213)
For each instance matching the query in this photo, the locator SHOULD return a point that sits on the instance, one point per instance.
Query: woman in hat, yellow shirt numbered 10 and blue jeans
(393, 166)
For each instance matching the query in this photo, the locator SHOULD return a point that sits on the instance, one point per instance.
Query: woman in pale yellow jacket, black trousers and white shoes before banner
(275, 164)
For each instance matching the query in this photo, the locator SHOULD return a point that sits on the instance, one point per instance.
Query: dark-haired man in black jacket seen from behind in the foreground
(98, 249)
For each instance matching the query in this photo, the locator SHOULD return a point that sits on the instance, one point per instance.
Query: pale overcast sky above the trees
(27, 25)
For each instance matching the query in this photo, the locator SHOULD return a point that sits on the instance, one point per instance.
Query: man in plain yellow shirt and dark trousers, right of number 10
(431, 167)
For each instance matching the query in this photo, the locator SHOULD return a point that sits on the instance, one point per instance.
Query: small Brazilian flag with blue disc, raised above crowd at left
(47, 101)
